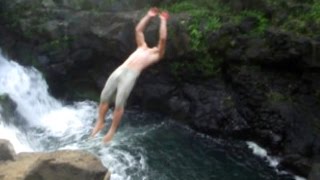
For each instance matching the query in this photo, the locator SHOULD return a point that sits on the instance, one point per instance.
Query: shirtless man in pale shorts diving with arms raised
(122, 80)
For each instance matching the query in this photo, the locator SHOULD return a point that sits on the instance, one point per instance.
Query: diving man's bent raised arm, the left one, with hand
(142, 25)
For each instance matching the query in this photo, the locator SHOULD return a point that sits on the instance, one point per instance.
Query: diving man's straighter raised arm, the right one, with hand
(164, 16)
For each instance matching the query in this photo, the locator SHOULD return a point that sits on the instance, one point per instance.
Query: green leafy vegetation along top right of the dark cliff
(208, 16)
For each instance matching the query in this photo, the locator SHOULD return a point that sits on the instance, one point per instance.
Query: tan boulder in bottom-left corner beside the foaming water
(49, 166)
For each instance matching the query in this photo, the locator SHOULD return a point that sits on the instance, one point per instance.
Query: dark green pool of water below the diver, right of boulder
(162, 149)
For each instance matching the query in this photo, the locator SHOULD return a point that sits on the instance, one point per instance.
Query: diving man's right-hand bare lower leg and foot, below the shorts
(117, 115)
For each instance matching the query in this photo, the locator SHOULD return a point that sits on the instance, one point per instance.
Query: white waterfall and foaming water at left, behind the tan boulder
(55, 125)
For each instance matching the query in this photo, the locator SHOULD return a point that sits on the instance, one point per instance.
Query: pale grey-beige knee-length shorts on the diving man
(118, 86)
